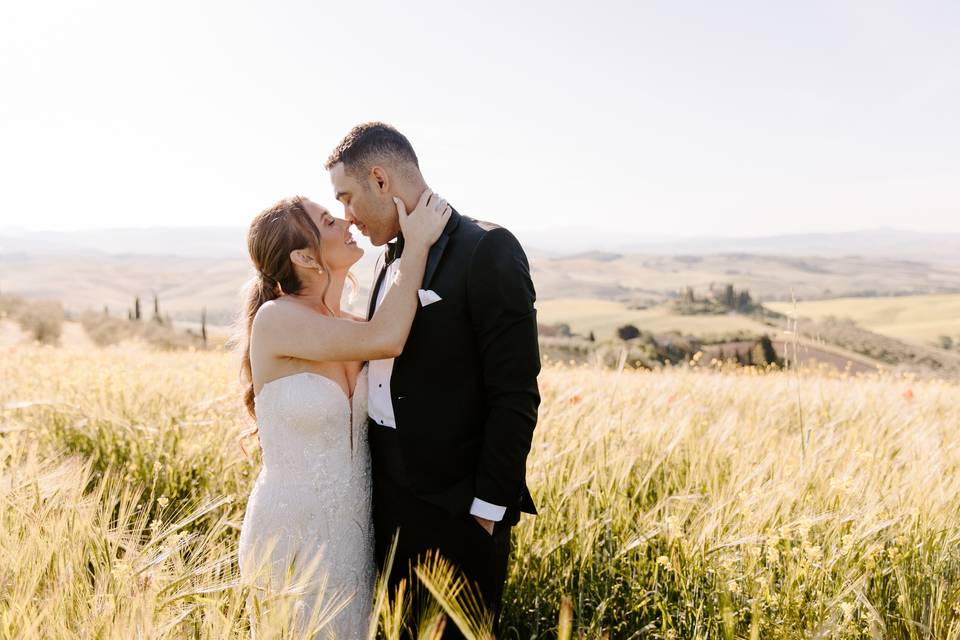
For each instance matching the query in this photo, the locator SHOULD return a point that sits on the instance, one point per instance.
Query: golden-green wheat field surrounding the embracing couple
(686, 503)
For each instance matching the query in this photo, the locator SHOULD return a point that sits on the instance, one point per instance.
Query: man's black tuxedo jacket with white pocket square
(464, 389)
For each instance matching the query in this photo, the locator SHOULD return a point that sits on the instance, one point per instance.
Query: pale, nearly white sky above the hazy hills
(663, 118)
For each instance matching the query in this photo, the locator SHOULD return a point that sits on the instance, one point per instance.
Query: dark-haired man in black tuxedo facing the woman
(452, 417)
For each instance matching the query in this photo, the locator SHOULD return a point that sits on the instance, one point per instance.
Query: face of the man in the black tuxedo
(366, 205)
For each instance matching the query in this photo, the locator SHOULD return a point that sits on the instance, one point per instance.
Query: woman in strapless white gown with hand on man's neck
(308, 519)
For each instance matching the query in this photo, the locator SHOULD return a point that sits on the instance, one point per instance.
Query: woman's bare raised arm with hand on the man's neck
(295, 331)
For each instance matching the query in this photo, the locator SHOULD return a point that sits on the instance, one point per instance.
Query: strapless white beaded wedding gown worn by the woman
(313, 496)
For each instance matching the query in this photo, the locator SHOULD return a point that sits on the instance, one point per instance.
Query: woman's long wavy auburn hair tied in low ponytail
(273, 234)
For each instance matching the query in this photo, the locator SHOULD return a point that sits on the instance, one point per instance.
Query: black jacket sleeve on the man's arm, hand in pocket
(500, 296)
